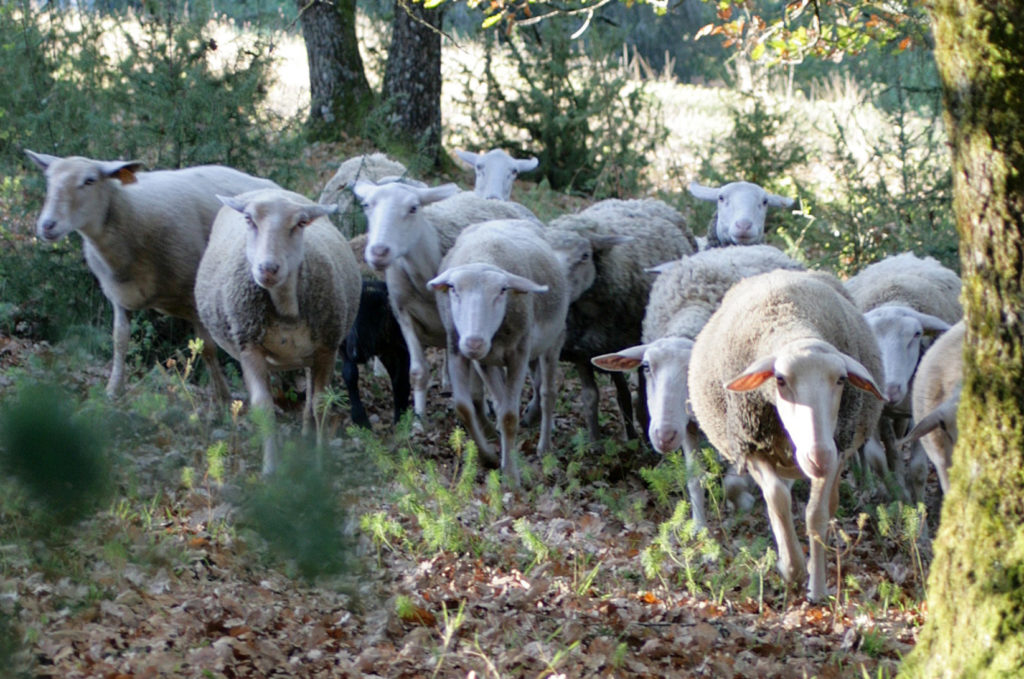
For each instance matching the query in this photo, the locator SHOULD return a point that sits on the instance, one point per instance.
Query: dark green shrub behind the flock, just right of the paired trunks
(572, 106)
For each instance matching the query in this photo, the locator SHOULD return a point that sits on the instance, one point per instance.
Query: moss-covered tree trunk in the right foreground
(976, 587)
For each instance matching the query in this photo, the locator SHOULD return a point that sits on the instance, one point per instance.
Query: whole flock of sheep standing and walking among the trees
(787, 372)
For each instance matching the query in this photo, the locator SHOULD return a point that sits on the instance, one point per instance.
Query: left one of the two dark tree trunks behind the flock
(340, 97)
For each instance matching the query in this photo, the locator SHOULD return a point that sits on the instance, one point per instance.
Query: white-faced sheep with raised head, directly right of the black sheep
(410, 229)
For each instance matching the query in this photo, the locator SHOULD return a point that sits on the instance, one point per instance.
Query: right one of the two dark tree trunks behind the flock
(412, 90)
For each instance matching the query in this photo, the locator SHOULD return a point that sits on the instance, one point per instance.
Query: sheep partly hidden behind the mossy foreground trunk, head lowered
(936, 398)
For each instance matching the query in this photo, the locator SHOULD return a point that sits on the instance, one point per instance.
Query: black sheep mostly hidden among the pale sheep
(375, 333)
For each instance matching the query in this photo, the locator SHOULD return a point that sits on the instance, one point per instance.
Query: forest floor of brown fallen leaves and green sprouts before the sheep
(404, 560)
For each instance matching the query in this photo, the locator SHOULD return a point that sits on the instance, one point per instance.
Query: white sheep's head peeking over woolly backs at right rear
(740, 219)
